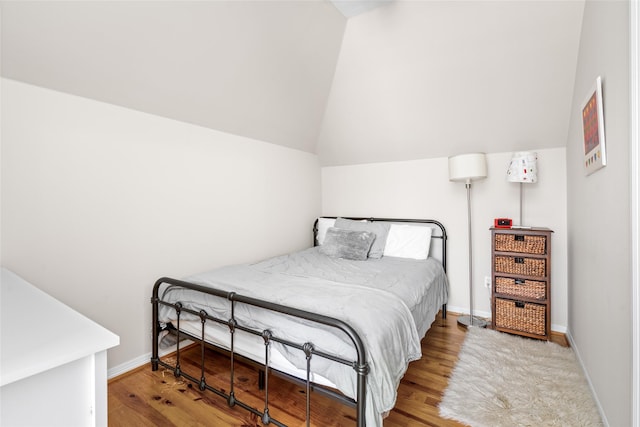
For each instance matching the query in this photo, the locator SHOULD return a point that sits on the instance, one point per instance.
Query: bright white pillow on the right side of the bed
(408, 241)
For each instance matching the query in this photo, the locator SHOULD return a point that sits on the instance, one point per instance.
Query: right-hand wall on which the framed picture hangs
(600, 289)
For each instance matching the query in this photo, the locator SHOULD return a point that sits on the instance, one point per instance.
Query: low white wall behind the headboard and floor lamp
(421, 189)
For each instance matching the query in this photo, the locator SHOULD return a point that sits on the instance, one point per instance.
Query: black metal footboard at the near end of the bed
(359, 365)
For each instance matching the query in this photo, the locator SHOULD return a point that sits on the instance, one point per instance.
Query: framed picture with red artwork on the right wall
(595, 156)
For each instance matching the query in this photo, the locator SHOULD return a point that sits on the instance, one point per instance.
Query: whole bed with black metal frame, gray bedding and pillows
(344, 317)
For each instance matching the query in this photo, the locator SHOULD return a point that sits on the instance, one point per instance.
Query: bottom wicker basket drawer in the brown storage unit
(521, 316)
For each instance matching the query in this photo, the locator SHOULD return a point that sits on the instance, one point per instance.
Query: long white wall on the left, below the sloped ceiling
(99, 201)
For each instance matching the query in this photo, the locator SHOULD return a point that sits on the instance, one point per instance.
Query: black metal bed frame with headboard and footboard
(359, 365)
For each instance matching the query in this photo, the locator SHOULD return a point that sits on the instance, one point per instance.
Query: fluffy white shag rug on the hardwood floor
(503, 380)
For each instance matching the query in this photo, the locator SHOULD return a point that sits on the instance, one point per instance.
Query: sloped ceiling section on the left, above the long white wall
(260, 69)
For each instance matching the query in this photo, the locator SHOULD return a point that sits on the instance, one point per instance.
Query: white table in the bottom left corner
(53, 360)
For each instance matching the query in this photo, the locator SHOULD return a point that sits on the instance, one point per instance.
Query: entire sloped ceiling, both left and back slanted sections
(408, 80)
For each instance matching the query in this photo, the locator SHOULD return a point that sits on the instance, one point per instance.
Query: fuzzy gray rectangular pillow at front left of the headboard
(347, 244)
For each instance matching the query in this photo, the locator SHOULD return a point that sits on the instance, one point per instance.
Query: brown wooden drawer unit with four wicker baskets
(521, 291)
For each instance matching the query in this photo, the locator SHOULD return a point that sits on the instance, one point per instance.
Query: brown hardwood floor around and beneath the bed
(147, 398)
